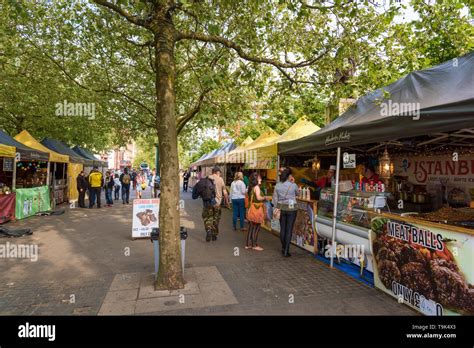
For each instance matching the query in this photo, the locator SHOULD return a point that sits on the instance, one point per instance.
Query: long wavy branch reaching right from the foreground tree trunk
(242, 54)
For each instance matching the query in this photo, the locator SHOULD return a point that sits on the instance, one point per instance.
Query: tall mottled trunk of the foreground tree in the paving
(170, 274)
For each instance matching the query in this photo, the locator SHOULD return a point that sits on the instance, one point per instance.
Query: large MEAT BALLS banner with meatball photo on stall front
(426, 267)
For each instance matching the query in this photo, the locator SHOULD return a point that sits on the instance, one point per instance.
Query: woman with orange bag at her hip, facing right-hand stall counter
(256, 211)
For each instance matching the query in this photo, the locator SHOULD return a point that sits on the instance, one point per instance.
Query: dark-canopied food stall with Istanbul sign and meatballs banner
(413, 225)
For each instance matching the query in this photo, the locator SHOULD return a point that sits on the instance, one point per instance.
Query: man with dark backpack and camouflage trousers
(212, 191)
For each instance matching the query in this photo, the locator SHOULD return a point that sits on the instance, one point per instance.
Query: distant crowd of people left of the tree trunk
(113, 184)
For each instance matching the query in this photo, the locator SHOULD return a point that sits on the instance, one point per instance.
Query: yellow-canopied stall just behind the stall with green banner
(56, 166)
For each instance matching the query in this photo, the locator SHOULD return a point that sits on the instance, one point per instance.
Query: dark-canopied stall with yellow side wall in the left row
(75, 165)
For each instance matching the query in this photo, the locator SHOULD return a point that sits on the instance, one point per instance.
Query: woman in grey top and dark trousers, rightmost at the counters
(285, 208)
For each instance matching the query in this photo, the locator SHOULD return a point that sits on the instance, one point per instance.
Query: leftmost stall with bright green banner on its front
(26, 170)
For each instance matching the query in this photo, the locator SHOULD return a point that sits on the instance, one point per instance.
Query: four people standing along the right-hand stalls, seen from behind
(213, 193)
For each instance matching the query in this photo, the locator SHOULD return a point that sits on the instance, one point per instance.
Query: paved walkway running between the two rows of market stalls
(84, 254)
